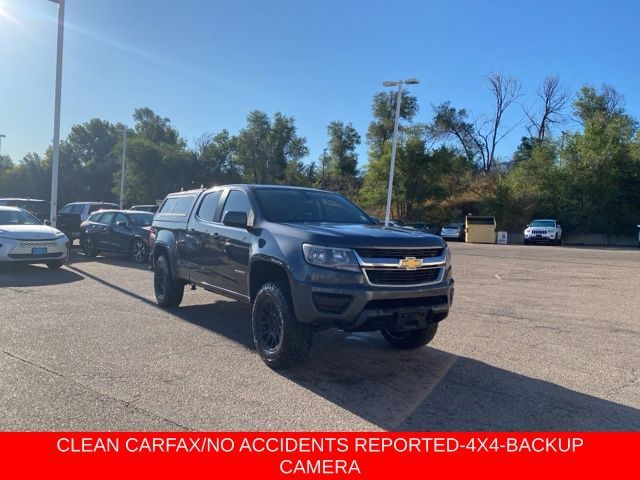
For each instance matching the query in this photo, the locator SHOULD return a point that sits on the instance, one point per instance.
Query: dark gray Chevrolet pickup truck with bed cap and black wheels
(306, 260)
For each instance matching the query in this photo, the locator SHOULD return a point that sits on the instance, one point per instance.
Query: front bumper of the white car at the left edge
(33, 251)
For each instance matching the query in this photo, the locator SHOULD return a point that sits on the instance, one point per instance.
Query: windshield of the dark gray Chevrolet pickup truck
(284, 205)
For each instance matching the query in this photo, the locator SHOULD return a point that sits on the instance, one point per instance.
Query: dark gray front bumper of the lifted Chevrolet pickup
(326, 298)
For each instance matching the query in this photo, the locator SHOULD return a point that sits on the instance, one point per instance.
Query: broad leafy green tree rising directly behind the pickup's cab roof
(265, 148)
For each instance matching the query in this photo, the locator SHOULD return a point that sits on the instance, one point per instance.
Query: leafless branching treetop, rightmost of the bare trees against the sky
(555, 99)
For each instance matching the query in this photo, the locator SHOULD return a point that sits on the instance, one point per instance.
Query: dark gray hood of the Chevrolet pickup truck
(359, 235)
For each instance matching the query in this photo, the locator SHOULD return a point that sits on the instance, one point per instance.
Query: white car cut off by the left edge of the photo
(24, 239)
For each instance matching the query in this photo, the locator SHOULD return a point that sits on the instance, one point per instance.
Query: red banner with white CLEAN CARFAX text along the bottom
(299, 455)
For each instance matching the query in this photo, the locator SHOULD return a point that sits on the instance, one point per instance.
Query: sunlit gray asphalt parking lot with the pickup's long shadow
(540, 338)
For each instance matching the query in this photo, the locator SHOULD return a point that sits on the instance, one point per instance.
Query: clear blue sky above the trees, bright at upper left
(206, 64)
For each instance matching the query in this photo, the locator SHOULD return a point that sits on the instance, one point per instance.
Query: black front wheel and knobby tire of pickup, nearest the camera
(280, 339)
